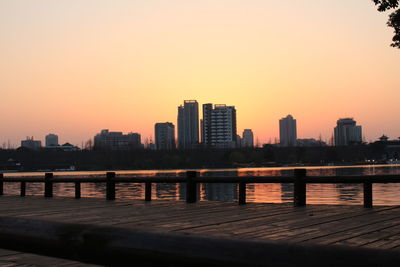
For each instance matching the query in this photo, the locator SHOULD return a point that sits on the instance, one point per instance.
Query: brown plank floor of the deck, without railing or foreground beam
(315, 224)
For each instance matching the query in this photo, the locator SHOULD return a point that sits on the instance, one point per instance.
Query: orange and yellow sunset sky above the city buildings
(75, 67)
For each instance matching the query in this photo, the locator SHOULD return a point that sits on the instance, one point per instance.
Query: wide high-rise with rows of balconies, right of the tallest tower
(219, 126)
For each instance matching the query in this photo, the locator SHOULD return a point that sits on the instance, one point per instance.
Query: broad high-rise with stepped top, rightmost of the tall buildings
(347, 132)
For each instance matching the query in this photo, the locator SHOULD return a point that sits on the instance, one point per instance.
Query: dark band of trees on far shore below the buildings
(268, 155)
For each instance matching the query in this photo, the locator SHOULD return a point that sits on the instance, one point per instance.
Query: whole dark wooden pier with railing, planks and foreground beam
(198, 233)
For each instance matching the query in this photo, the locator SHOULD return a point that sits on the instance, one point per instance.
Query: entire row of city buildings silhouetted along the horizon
(212, 130)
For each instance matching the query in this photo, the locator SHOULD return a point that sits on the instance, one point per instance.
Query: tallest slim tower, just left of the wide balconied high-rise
(188, 124)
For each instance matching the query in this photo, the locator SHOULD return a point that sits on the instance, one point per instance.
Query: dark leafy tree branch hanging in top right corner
(394, 18)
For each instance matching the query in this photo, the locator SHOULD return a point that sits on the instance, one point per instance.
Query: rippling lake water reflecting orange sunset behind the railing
(349, 194)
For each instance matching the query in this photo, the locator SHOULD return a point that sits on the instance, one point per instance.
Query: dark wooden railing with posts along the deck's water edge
(300, 181)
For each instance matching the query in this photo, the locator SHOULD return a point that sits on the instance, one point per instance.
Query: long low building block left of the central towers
(107, 140)
